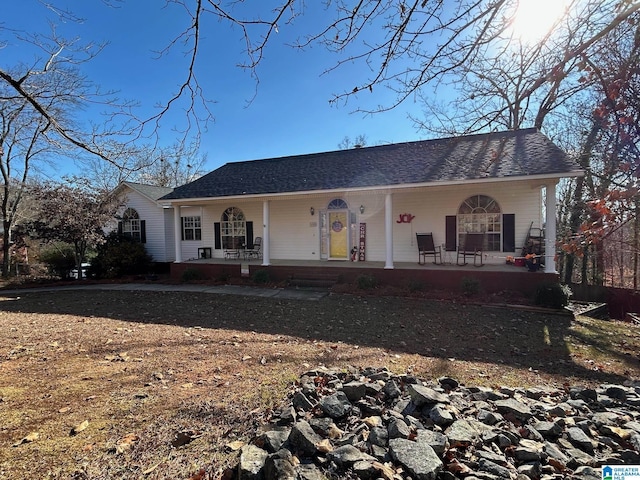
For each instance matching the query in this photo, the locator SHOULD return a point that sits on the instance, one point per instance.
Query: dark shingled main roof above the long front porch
(494, 155)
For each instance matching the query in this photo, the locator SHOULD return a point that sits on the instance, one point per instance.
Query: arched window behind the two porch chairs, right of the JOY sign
(481, 214)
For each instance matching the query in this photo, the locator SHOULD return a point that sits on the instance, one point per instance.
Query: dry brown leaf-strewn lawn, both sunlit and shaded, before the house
(106, 385)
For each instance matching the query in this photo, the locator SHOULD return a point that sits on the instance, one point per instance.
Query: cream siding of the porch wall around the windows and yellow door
(295, 233)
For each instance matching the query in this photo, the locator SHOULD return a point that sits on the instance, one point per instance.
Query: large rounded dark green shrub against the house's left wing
(120, 256)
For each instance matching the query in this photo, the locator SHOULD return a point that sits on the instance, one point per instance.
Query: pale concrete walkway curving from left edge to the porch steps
(283, 293)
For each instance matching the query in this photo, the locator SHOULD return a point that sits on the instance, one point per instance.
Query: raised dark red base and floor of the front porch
(492, 278)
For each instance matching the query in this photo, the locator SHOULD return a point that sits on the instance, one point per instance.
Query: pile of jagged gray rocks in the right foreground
(371, 424)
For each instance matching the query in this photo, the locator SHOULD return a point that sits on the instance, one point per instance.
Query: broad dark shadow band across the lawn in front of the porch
(435, 329)
